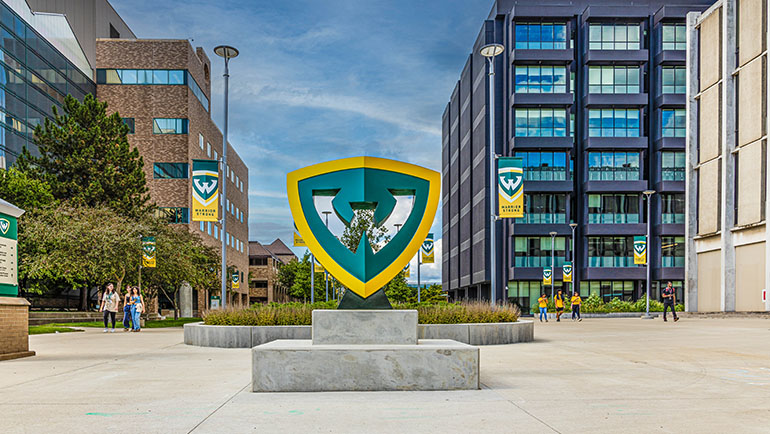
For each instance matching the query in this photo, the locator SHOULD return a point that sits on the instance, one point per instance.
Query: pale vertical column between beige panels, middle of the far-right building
(729, 41)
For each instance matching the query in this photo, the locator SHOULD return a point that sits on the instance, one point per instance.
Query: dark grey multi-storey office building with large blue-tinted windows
(591, 96)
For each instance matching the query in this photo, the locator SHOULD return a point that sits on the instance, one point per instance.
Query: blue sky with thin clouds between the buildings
(321, 80)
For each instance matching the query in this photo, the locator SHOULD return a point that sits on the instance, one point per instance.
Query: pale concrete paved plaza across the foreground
(601, 375)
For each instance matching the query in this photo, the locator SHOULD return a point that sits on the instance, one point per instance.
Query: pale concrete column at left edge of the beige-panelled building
(691, 175)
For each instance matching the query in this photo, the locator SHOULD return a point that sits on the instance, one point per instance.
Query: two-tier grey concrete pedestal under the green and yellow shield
(364, 351)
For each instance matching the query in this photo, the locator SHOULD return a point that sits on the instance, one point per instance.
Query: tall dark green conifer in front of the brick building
(86, 159)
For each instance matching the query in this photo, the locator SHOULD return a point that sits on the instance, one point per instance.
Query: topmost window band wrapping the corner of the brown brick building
(153, 77)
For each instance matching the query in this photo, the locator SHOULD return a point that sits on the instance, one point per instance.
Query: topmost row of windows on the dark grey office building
(603, 36)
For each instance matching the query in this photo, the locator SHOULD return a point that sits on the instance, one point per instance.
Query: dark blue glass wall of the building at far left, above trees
(36, 77)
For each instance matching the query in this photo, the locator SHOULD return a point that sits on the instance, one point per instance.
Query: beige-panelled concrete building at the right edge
(727, 236)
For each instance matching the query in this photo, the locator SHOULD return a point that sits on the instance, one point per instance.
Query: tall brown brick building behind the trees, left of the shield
(162, 89)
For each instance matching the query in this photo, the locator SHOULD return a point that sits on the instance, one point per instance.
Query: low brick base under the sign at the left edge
(14, 328)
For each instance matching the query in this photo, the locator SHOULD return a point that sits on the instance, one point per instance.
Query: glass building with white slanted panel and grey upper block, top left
(44, 59)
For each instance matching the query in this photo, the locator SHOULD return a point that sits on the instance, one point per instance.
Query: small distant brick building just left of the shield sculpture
(264, 263)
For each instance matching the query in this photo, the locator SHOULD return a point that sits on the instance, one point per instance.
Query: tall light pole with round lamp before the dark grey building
(490, 51)
